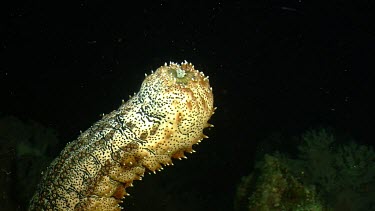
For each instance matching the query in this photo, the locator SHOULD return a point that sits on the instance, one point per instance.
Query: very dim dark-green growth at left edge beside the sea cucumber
(25, 149)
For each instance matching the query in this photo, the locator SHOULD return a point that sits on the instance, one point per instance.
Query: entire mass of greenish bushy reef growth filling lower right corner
(324, 175)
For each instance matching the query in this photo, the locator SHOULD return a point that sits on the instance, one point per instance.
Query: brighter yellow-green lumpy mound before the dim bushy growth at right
(273, 187)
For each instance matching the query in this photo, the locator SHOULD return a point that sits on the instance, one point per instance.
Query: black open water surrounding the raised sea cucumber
(276, 67)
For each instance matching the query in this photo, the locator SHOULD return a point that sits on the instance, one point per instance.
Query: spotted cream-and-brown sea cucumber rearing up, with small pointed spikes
(162, 121)
